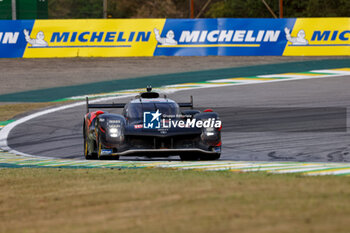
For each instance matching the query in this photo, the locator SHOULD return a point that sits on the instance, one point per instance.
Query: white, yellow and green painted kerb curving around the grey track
(12, 158)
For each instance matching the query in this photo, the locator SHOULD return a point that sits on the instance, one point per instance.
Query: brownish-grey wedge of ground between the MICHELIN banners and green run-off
(31, 74)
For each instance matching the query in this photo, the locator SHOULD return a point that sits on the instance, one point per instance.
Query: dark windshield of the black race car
(136, 110)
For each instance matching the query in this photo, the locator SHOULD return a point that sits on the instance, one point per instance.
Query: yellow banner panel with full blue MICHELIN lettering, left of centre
(87, 38)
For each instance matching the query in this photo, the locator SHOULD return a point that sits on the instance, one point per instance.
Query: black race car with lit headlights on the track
(154, 127)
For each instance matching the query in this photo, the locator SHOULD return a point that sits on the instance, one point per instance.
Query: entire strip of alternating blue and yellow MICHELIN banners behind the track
(175, 37)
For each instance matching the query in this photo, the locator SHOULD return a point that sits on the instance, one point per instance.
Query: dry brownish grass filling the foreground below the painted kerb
(156, 200)
